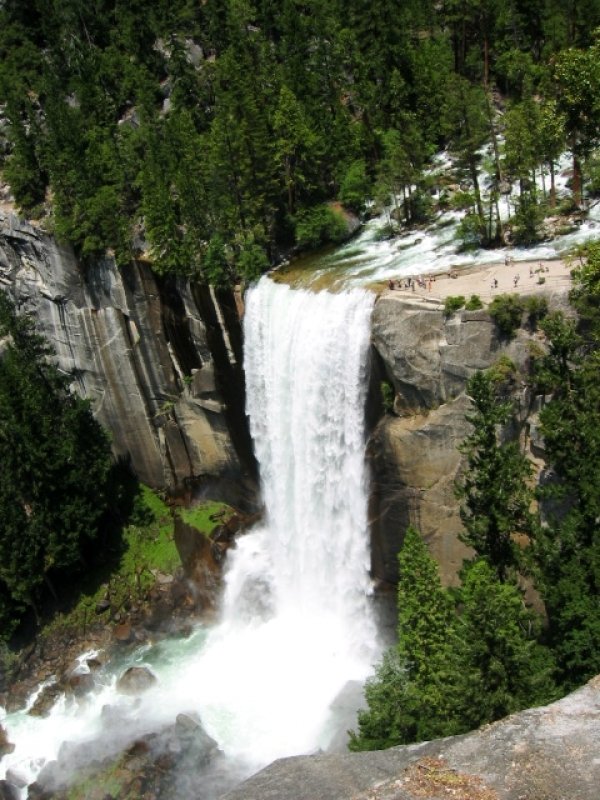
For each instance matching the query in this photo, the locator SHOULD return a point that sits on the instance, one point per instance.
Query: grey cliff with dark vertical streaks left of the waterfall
(159, 359)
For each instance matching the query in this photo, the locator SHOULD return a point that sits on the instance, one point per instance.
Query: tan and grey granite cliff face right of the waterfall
(414, 459)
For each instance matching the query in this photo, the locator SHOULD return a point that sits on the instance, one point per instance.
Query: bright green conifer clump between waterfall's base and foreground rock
(462, 659)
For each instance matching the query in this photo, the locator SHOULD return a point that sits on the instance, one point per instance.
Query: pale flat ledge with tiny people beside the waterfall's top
(482, 280)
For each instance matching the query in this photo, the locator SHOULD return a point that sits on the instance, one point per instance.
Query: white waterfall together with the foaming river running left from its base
(296, 624)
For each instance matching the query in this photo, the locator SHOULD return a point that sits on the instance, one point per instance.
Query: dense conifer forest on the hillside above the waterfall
(210, 136)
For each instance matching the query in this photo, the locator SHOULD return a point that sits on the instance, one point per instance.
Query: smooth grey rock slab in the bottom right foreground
(543, 753)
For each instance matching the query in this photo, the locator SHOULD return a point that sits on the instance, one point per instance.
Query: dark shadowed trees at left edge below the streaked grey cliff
(54, 483)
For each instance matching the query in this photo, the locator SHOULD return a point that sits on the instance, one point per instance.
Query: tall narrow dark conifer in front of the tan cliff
(494, 489)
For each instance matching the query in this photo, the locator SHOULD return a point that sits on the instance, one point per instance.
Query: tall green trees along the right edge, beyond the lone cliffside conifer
(568, 546)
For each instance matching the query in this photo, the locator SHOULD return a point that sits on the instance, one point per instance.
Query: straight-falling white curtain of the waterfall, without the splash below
(306, 362)
